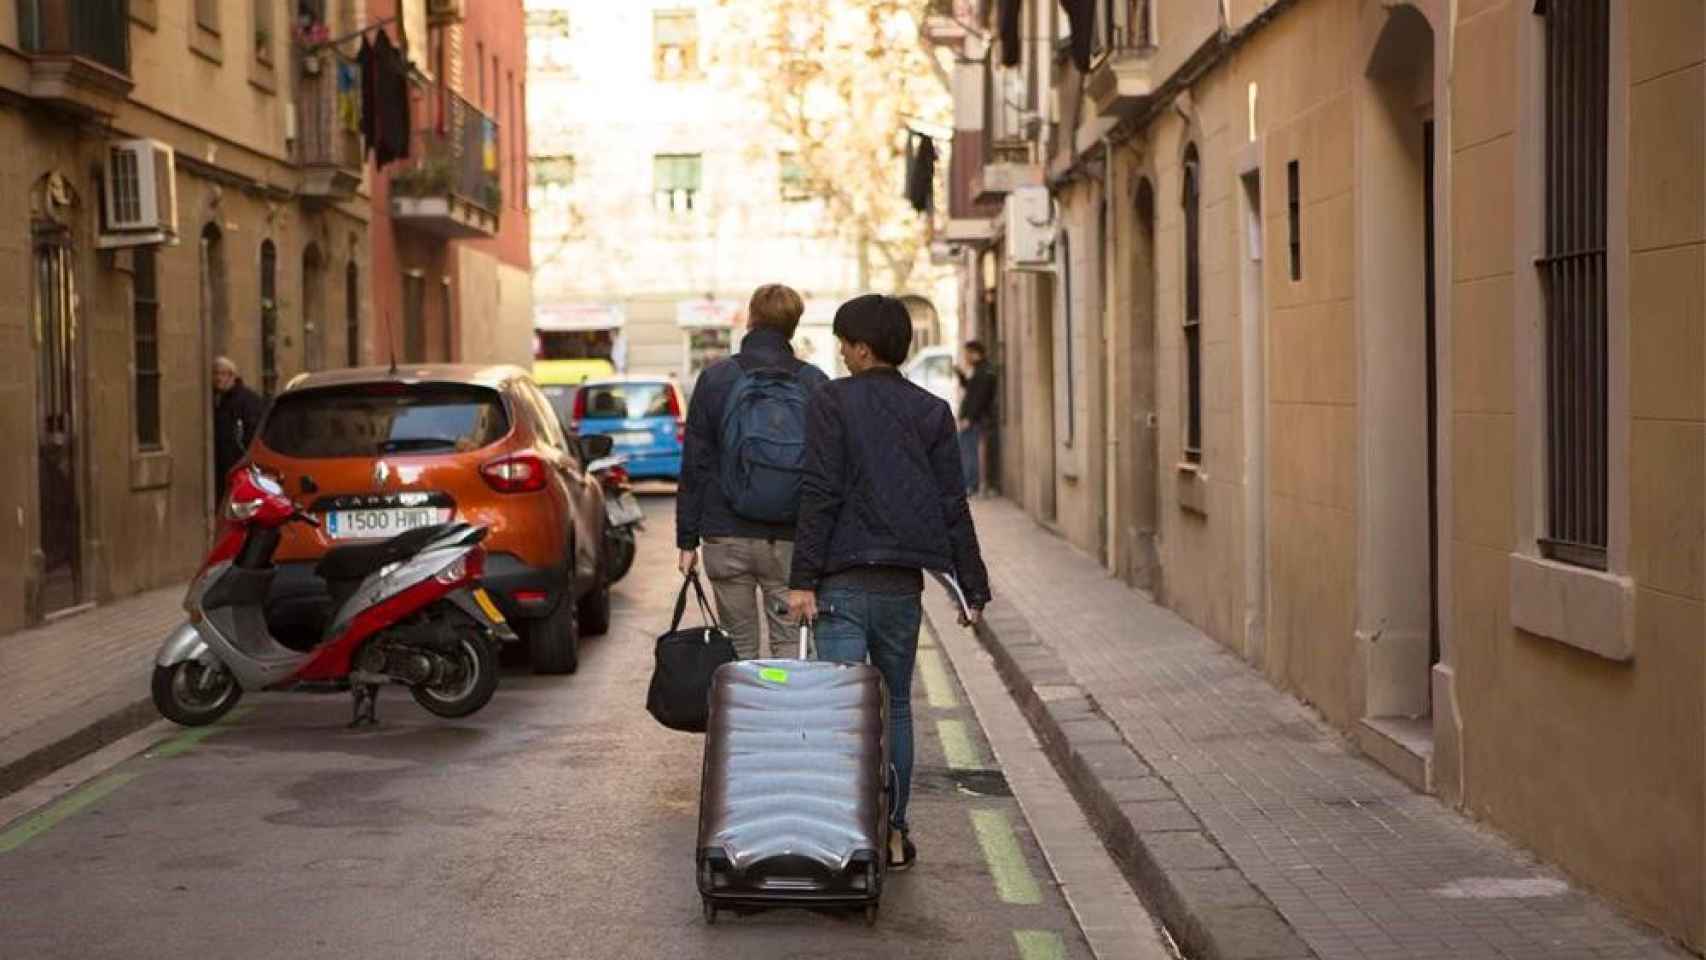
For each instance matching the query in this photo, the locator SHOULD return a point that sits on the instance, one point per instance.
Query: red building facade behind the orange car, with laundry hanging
(453, 265)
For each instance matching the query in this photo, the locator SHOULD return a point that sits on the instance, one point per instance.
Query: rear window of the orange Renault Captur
(385, 419)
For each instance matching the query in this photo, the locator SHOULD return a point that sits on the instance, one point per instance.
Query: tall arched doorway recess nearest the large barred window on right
(1398, 506)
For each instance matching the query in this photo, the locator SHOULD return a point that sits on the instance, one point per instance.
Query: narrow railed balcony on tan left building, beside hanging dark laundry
(330, 125)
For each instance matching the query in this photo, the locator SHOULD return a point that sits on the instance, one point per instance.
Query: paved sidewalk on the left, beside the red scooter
(76, 685)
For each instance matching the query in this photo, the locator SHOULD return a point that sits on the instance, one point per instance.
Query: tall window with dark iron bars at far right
(1574, 277)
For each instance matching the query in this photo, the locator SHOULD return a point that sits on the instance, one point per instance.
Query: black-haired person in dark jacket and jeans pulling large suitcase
(883, 502)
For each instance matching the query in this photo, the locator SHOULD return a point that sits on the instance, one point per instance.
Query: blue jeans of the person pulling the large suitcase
(854, 625)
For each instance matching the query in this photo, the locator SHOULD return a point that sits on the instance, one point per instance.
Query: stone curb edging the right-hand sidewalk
(1166, 853)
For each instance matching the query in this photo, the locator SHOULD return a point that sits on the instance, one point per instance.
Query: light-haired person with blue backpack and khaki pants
(741, 461)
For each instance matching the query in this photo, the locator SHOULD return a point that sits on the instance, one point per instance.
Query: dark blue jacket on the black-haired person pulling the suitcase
(883, 485)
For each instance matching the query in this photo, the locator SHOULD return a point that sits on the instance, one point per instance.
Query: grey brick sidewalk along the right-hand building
(1355, 864)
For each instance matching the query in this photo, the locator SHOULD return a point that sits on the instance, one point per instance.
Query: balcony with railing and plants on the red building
(451, 183)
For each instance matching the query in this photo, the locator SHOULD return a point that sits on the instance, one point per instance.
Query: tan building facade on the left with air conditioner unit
(177, 190)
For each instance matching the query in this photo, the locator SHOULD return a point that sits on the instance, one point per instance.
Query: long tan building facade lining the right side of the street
(1369, 338)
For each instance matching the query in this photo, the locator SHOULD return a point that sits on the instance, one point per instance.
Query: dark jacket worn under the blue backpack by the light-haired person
(702, 511)
